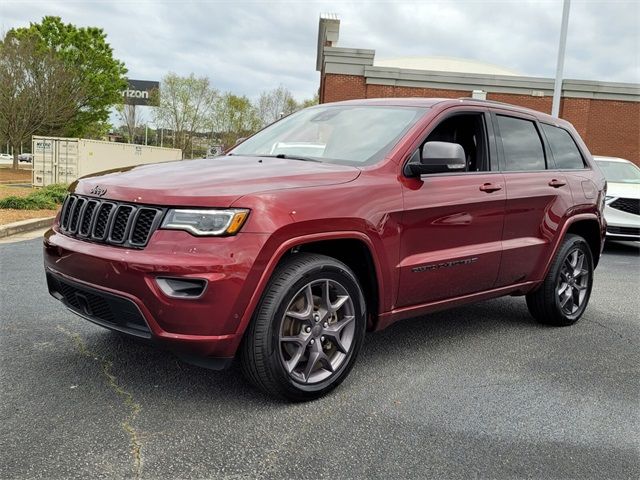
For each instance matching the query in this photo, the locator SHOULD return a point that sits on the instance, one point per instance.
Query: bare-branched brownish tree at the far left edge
(37, 91)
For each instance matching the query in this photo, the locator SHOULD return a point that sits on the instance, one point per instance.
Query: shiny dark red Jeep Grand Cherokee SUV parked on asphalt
(338, 219)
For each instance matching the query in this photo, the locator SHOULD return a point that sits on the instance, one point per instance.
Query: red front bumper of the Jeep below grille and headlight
(116, 287)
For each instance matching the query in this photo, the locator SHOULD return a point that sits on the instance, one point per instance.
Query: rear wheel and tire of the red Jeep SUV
(563, 296)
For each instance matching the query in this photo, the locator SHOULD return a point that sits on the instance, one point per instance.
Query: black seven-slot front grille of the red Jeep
(106, 221)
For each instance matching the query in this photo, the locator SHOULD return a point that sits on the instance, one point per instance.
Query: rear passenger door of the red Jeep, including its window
(538, 197)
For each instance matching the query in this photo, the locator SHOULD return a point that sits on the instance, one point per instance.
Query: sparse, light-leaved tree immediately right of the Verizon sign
(185, 107)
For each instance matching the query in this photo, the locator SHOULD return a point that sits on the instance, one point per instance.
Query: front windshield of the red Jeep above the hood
(347, 134)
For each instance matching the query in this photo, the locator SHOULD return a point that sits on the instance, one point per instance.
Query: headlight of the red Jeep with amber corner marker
(210, 222)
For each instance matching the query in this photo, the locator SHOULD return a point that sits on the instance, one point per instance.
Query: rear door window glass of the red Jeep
(521, 144)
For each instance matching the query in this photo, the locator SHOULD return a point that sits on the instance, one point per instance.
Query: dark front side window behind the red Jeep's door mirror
(468, 131)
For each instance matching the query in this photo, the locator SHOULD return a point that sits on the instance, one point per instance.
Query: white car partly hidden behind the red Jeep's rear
(622, 204)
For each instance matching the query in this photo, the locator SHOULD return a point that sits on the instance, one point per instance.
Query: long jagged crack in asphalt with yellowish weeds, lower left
(127, 398)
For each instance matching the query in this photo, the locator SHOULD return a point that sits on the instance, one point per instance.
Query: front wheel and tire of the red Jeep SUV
(306, 333)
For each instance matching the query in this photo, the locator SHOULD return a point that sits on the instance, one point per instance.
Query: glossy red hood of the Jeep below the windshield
(216, 182)
